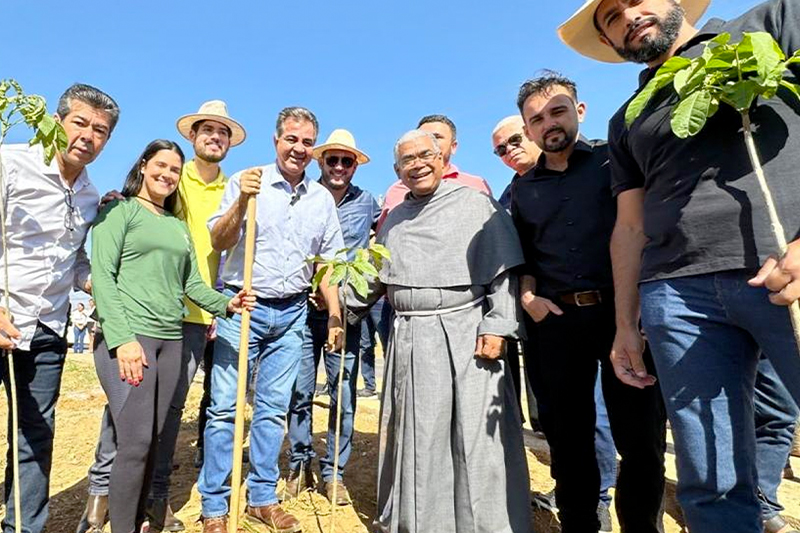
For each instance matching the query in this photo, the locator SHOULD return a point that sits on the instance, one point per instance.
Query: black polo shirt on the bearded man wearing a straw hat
(704, 211)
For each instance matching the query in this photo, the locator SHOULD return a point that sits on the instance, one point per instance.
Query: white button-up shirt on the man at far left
(46, 227)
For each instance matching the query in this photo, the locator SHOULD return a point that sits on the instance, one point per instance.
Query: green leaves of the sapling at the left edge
(16, 107)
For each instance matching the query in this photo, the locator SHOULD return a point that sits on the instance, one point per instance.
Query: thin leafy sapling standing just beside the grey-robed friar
(367, 262)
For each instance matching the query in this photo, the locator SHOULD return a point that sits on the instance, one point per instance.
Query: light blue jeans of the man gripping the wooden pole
(275, 349)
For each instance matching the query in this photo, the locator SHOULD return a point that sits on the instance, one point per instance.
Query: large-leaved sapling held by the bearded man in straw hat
(732, 74)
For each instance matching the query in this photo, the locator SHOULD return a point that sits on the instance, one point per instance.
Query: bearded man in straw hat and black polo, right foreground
(693, 234)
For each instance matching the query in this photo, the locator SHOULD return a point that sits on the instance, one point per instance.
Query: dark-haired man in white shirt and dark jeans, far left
(49, 209)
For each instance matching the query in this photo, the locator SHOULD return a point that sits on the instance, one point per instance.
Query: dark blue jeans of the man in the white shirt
(38, 376)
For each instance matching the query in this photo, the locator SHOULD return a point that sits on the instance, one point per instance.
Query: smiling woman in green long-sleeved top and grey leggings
(143, 263)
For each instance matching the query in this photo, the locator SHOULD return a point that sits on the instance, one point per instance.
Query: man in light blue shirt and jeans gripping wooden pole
(295, 219)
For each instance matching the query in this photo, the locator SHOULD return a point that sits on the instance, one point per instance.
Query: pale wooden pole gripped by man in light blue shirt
(241, 387)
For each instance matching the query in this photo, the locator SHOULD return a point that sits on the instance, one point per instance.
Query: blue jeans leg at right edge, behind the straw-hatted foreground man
(776, 415)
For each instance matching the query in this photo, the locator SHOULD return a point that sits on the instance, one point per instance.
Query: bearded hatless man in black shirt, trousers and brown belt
(564, 213)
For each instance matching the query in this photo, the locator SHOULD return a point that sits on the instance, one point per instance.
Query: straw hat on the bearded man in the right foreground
(580, 34)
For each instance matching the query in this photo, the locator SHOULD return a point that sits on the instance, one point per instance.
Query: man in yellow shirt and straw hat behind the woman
(212, 132)
